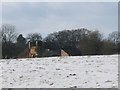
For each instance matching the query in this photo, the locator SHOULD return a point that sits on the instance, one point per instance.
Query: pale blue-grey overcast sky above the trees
(47, 17)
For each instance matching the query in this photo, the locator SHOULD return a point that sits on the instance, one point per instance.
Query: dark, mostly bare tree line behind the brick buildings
(77, 41)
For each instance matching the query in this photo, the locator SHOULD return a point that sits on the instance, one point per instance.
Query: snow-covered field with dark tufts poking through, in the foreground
(60, 72)
